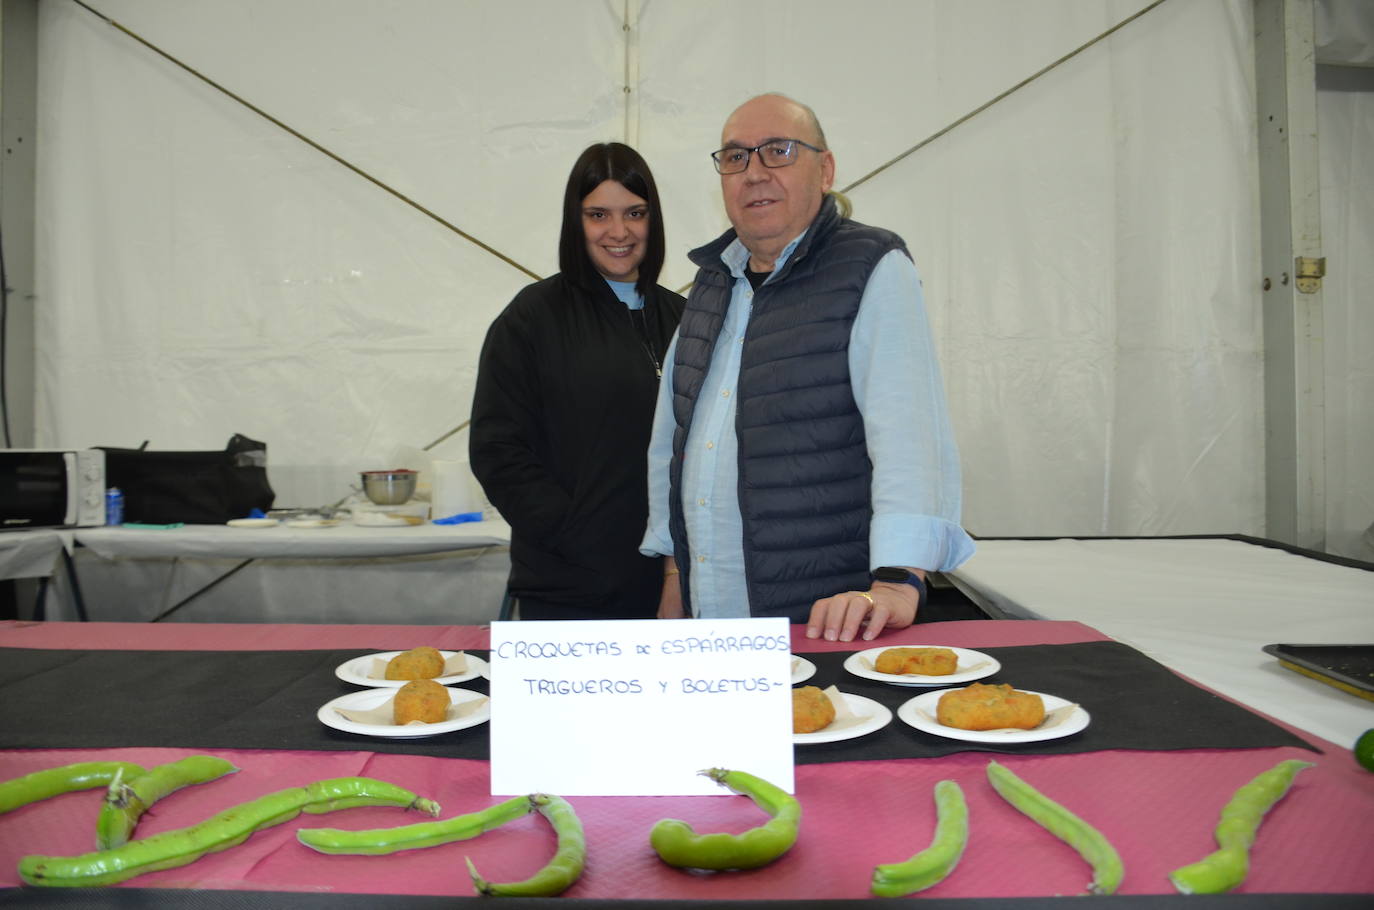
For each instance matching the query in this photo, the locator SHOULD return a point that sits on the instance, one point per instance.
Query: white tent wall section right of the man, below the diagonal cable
(1089, 247)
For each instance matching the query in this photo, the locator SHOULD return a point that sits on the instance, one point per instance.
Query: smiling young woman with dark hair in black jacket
(565, 399)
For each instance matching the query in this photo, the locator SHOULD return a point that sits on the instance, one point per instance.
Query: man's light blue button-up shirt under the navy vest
(898, 387)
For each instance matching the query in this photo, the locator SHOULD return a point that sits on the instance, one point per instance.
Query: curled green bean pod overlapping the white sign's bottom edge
(678, 845)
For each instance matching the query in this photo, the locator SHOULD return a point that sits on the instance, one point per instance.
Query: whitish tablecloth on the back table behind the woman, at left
(344, 574)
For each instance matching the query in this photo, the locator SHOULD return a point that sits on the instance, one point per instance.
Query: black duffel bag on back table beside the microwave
(196, 489)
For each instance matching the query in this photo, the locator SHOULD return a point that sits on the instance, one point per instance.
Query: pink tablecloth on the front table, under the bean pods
(1158, 808)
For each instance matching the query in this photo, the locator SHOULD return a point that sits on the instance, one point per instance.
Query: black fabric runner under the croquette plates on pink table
(269, 700)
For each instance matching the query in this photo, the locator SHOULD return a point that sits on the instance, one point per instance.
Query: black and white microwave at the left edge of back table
(52, 489)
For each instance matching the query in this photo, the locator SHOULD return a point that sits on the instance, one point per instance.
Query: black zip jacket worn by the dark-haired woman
(561, 424)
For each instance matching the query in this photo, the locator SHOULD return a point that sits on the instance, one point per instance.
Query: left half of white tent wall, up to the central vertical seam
(205, 273)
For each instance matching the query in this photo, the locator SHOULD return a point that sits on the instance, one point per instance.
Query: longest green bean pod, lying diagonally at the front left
(219, 832)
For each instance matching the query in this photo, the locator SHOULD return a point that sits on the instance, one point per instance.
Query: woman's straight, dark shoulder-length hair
(609, 162)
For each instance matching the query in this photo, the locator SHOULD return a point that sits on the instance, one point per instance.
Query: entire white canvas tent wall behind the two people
(1089, 245)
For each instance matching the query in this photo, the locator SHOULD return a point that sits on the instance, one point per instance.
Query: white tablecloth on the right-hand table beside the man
(1204, 608)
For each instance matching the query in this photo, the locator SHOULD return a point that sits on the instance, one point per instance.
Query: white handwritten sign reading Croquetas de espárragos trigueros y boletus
(640, 707)
